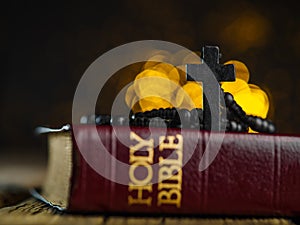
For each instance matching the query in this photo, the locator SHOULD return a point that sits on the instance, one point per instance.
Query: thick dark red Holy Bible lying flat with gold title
(156, 171)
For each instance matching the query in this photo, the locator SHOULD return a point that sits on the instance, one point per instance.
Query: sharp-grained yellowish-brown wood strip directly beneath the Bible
(32, 212)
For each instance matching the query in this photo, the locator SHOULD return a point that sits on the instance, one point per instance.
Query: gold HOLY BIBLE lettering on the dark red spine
(169, 175)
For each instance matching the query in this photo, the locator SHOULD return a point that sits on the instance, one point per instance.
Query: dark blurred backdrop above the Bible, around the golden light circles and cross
(46, 47)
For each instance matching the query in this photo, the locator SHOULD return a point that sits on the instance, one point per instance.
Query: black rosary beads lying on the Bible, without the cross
(237, 120)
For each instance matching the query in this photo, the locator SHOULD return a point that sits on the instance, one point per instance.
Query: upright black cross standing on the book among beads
(213, 104)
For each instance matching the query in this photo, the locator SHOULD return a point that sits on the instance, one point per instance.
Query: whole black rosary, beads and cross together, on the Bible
(236, 119)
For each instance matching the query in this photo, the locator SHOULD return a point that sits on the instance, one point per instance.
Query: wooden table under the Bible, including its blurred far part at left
(19, 173)
